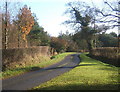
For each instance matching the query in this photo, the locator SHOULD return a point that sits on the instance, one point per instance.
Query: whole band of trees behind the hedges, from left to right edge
(23, 27)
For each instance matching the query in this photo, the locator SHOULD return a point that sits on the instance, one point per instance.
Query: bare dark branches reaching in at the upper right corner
(111, 14)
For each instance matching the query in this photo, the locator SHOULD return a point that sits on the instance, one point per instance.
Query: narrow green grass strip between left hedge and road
(20, 70)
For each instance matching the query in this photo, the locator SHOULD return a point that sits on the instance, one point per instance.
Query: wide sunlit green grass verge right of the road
(91, 74)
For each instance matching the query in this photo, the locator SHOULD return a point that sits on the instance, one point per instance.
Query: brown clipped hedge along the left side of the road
(10, 57)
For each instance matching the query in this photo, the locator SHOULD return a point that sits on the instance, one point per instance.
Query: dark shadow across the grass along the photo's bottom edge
(85, 87)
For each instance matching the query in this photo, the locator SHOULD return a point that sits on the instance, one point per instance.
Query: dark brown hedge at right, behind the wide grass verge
(108, 54)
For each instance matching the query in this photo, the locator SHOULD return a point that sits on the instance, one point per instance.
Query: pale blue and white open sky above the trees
(50, 13)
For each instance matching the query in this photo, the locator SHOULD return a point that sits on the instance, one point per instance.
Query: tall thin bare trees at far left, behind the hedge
(9, 11)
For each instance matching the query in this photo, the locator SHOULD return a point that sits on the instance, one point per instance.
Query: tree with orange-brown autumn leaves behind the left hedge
(26, 21)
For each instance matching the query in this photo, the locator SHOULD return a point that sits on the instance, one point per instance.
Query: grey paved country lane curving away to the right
(34, 78)
